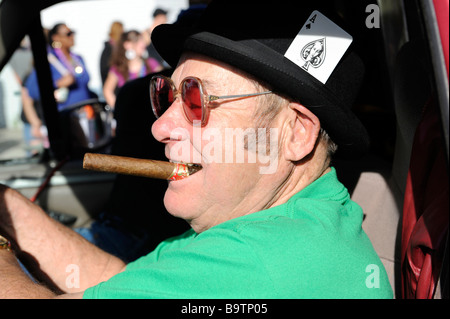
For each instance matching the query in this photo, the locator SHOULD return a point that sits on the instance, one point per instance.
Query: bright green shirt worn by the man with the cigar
(313, 246)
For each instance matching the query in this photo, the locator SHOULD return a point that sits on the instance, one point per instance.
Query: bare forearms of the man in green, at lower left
(51, 247)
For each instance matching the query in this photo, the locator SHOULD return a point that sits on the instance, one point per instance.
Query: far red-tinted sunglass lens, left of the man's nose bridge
(161, 95)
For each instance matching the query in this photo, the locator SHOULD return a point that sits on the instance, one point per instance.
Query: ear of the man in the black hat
(301, 134)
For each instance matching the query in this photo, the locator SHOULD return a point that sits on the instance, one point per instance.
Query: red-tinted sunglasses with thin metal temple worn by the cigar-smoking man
(195, 101)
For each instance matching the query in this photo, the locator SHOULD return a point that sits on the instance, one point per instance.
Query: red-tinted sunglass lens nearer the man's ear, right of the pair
(192, 99)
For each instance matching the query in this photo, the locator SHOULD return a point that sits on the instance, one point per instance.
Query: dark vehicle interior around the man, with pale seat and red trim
(402, 184)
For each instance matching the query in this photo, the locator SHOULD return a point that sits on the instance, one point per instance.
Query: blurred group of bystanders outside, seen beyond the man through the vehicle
(127, 55)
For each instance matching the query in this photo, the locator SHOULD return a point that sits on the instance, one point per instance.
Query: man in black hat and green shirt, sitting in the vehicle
(276, 223)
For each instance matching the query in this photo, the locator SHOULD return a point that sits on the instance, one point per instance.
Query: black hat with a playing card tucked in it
(254, 37)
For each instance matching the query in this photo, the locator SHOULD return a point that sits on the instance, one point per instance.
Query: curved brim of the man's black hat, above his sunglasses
(284, 76)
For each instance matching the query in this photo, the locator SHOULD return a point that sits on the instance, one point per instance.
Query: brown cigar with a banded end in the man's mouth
(138, 167)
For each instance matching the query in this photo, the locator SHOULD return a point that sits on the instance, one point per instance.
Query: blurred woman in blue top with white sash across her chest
(68, 70)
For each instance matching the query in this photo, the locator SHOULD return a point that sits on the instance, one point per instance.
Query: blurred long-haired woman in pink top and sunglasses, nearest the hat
(127, 63)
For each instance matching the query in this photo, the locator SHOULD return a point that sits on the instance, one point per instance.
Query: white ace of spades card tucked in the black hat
(319, 46)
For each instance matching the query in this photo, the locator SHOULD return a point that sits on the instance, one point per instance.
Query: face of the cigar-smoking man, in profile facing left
(222, 189)
